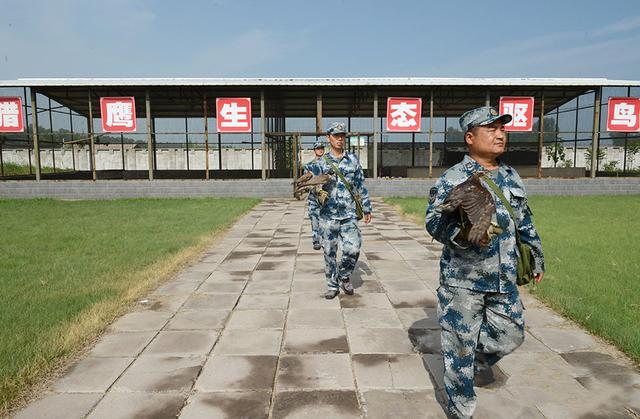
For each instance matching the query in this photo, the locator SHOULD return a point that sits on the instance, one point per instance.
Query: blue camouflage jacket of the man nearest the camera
(492, 268)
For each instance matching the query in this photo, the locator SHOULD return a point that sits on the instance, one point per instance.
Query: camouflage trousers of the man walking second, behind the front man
(346, 234)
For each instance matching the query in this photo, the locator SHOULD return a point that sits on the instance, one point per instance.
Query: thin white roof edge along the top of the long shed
(320, 81)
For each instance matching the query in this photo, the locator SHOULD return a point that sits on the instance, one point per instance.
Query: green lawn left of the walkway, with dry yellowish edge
(68, 268)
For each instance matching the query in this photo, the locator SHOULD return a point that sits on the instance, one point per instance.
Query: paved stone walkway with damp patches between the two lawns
(245, 333)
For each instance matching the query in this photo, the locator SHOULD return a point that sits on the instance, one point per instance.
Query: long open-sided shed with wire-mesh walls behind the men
(176, 135)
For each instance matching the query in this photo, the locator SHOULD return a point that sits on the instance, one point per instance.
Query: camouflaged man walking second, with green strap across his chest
(338, 222)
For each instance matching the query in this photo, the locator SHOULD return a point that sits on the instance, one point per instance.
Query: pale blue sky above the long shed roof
(332, 38)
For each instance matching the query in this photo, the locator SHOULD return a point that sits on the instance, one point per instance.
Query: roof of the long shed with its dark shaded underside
(296, 97)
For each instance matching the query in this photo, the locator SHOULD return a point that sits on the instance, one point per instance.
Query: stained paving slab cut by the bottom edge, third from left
(227, 405)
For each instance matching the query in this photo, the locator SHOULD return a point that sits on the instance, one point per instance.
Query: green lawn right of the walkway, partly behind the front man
(592, 257)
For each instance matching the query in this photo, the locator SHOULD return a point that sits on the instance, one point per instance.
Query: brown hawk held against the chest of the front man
(476, 206)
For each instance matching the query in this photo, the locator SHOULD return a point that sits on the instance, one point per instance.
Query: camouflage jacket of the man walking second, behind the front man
(340, 204)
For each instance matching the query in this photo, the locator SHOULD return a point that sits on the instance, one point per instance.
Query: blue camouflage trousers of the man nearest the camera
(478, 329)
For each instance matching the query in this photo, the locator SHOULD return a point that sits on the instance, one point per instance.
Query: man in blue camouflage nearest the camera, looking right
(480, 311)
